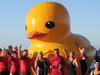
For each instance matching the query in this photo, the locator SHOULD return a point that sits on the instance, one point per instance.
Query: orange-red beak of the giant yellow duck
(35, 34)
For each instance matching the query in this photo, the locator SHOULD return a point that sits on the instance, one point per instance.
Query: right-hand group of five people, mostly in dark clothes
(57, 64)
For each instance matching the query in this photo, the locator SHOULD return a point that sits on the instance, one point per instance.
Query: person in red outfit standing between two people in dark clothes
(57, 63)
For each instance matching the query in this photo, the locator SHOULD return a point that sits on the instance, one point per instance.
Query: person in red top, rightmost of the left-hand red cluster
(25, 63)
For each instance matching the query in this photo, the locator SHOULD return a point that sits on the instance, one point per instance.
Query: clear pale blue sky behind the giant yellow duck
(84, 15)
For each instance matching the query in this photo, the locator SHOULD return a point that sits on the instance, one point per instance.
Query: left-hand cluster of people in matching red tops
(15, 62)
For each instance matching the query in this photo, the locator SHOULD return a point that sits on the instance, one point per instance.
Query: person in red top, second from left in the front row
(15, 65)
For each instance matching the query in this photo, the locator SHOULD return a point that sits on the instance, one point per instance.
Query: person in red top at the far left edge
(4, 63)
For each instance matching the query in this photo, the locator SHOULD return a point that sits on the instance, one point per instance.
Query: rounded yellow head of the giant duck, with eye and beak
(47, 21)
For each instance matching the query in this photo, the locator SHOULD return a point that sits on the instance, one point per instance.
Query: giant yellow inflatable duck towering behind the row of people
(48, 26)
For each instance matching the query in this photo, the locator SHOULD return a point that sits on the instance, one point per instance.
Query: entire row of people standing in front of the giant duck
(17, 62)
